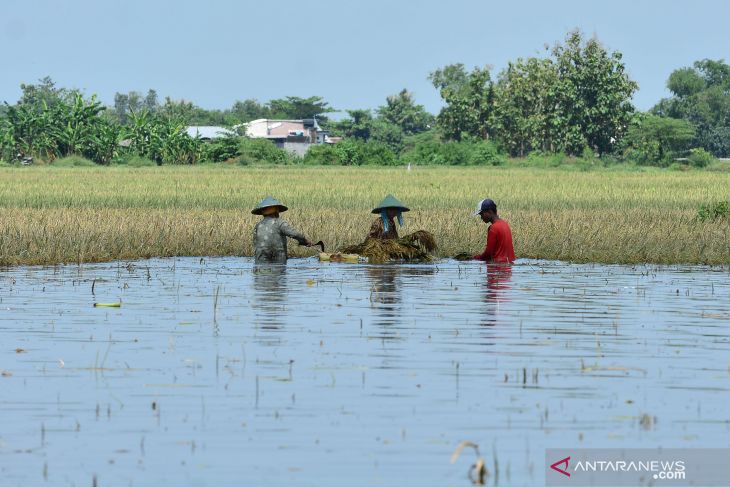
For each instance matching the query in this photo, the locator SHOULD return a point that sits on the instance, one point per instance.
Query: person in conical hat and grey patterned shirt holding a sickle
(269, 235)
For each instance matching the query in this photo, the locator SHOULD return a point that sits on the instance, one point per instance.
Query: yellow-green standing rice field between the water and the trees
(55, 215)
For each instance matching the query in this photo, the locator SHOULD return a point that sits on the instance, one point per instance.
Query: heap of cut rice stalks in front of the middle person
(413, 247)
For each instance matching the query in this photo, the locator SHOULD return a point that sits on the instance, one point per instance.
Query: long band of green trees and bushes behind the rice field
(572, 102)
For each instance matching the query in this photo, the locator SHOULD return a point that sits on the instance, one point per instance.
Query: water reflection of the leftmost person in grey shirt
(270, 295)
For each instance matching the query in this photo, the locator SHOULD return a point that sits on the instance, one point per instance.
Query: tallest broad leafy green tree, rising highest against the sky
(577, 98)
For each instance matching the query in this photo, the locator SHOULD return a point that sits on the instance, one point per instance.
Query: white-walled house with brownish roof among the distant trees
(295, 136)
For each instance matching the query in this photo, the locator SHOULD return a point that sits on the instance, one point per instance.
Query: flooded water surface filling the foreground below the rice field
(214, 373)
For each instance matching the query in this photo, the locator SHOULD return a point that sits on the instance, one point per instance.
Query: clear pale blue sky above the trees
(353, 53)
